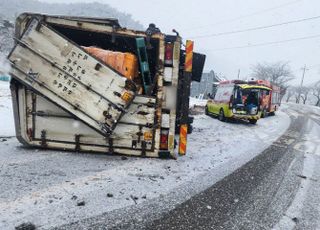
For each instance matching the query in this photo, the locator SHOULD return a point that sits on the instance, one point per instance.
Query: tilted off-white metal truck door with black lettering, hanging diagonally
(68, 76)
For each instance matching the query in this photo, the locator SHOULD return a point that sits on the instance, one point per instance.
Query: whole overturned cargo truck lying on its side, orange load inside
(87, 84)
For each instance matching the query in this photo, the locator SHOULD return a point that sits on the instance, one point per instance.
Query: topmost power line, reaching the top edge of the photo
(245, 16)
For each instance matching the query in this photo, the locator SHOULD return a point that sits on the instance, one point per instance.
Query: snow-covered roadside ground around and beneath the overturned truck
(47, 187)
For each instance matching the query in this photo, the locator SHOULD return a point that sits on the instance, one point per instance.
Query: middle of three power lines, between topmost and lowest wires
(257, 28)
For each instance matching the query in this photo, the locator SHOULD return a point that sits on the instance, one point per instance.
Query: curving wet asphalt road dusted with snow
(256, 196)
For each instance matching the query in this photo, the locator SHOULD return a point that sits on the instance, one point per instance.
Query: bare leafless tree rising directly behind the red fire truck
(278, 73)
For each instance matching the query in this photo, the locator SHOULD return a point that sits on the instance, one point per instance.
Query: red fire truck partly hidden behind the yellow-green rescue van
(270, 99)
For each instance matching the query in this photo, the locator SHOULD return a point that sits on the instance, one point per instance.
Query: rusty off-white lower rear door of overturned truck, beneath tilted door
(46, 123)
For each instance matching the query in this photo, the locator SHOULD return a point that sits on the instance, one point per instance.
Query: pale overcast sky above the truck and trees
(196, 18)
